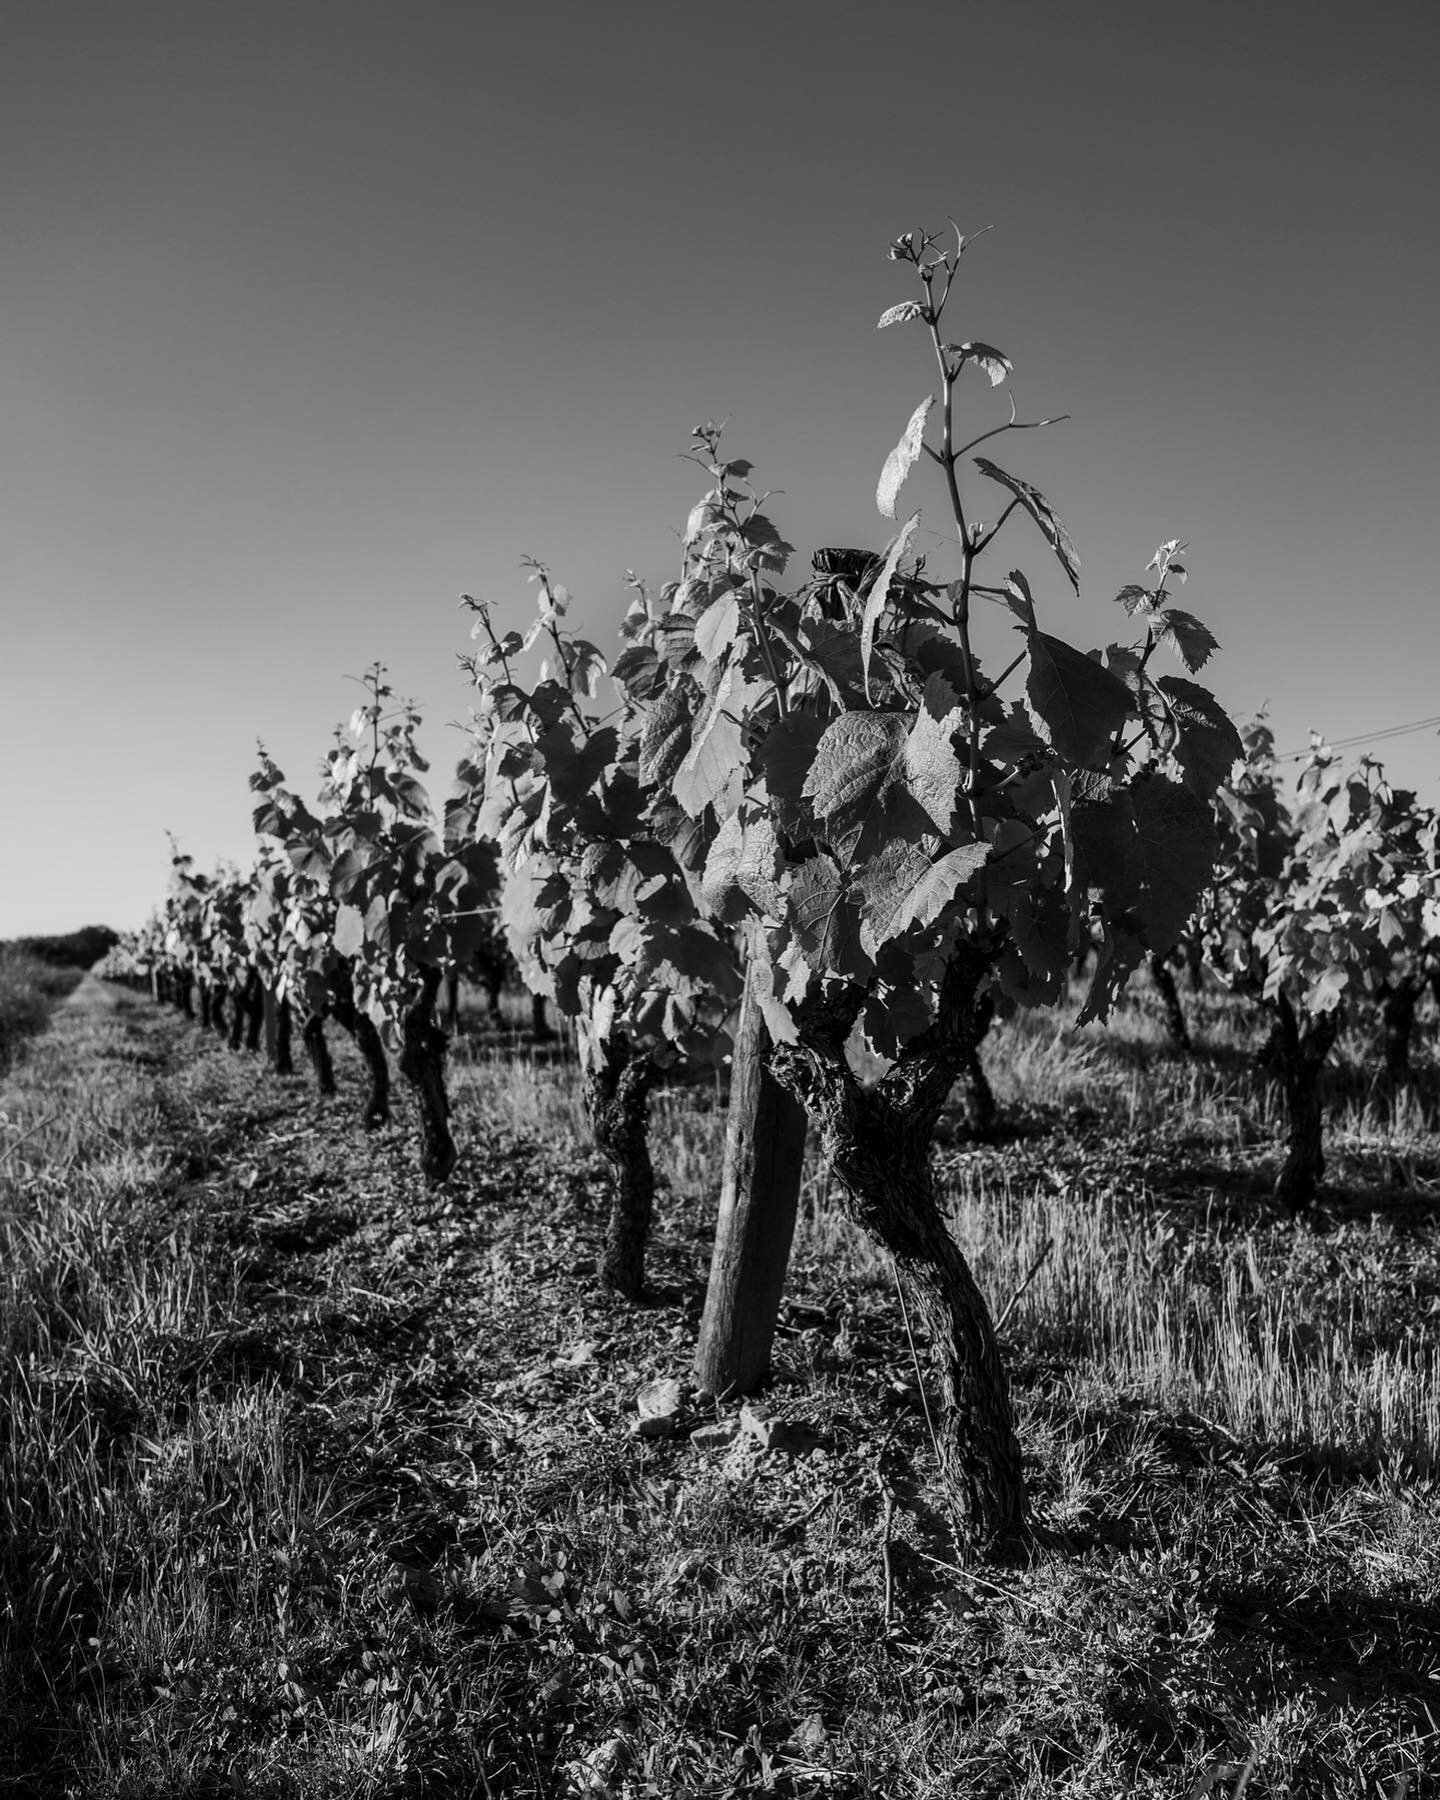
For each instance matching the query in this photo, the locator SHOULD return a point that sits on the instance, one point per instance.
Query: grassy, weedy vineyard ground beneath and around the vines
(314, 1484)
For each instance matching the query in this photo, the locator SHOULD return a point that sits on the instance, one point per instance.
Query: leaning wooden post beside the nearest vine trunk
(759, 1203)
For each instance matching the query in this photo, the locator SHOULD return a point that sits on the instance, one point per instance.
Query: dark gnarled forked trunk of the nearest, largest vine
(877, 1146)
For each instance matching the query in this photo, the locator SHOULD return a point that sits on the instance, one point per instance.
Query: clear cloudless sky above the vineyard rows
(316, 316)
